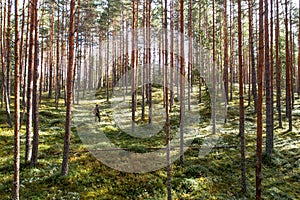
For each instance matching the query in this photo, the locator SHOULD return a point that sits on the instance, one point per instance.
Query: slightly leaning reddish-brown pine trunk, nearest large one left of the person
(65, 161)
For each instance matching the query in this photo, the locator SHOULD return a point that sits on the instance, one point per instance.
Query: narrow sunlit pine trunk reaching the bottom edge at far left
(17, 109)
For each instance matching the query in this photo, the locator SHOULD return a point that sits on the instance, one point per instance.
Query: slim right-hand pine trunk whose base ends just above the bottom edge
(241, 107)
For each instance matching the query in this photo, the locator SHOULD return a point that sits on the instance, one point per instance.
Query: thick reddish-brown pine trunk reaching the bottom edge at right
(259, 101)
